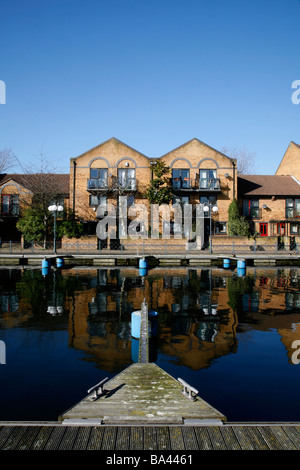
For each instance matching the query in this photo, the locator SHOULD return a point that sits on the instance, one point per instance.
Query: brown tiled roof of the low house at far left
(57, 182)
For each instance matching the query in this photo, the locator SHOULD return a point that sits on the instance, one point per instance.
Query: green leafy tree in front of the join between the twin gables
(159, 191)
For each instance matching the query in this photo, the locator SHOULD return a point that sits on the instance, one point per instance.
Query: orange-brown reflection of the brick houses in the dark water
(202, 312)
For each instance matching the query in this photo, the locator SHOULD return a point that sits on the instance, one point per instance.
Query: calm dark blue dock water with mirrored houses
(230, 337)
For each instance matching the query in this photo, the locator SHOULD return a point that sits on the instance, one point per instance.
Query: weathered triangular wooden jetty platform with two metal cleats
(142, 394)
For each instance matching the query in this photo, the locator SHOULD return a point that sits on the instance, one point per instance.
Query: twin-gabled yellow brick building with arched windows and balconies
(198, 174)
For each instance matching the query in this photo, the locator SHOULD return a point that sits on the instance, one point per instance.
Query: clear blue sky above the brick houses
(152, 73)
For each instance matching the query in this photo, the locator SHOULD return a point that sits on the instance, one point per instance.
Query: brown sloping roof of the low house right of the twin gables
(268, 185)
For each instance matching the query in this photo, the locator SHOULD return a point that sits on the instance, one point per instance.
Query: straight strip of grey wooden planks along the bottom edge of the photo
(154, 438)
